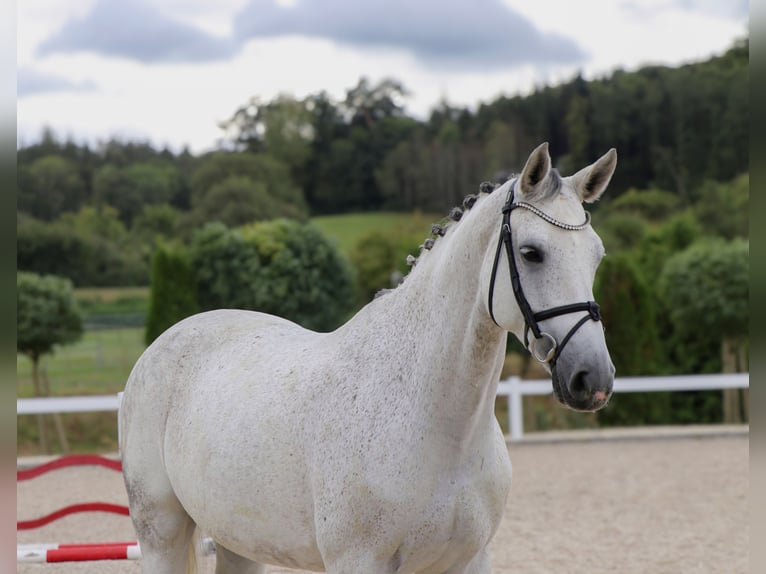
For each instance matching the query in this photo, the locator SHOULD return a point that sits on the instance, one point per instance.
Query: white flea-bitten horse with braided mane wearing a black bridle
(373, 448)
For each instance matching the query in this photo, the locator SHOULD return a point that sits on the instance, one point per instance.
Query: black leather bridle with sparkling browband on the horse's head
(531, 319)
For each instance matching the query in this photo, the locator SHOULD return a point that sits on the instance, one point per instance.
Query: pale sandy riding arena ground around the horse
(638, 503)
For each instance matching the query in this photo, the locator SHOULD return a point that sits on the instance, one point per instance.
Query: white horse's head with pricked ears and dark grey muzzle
(540, 275)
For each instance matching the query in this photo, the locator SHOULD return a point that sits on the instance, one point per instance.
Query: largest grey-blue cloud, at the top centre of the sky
(483, 34)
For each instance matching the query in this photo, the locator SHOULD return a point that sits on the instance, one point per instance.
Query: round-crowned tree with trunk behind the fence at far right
(706, 288)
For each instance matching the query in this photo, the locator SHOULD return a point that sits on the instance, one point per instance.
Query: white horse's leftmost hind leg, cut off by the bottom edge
(163, 528)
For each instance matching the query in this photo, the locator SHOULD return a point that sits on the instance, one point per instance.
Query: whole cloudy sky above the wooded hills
(168, 71)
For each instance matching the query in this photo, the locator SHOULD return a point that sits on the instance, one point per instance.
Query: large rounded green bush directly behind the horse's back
(282, 267)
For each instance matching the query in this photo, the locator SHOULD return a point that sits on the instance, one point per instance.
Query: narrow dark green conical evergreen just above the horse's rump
(173, 291)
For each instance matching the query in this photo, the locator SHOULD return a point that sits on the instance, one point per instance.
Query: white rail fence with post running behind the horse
(514, 388)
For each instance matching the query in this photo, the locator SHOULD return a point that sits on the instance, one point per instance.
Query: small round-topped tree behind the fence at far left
(46, 316)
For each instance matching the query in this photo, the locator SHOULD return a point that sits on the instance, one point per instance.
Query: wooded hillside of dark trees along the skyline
(95, 213)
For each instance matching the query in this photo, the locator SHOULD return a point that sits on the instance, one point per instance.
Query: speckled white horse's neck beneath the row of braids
(438, 332)
